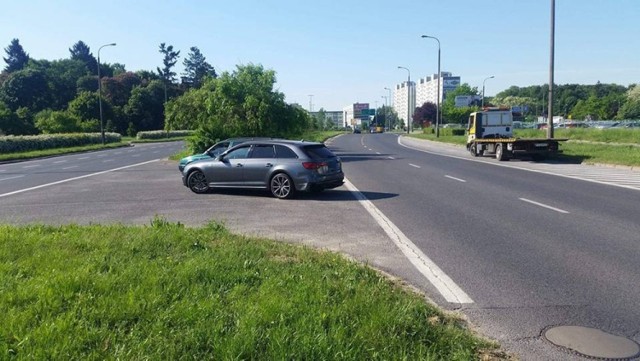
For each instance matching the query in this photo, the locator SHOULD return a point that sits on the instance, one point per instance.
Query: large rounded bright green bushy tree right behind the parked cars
(241, 103)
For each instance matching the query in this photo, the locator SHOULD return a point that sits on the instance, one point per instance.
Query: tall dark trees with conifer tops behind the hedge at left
(61, 96)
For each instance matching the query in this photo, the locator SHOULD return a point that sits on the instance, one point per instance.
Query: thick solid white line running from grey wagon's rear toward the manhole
(443, 283)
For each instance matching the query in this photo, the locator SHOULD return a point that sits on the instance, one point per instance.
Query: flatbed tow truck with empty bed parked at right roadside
(490, 131)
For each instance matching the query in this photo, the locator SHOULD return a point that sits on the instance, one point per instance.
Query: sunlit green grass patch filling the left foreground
(169, 292)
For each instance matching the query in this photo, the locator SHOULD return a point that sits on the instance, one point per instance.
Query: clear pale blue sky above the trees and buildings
(347, 51)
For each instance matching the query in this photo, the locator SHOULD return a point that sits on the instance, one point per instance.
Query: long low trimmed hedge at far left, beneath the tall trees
(27, 143)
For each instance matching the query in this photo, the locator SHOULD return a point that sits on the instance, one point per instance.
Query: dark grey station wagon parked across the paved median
(283, 167)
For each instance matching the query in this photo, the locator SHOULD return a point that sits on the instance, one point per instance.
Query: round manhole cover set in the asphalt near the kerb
(592, 342)
